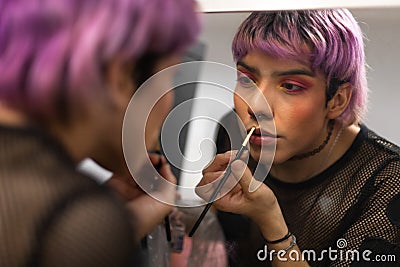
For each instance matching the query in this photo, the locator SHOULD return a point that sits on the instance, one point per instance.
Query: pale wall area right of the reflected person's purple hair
(381, 28)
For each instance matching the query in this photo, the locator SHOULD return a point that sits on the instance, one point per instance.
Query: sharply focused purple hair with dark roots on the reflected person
(327, 40)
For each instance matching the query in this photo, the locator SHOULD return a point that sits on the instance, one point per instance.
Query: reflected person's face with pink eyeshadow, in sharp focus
(296, 96)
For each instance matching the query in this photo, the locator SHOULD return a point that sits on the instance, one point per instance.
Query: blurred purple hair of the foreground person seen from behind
(53, 52)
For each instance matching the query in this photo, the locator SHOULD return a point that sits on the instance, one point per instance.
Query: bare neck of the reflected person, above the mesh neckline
(295, 171)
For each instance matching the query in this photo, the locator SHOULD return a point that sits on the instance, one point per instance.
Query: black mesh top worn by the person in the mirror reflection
(354, 204)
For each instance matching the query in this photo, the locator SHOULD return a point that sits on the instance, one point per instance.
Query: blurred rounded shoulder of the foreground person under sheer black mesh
(88, 218)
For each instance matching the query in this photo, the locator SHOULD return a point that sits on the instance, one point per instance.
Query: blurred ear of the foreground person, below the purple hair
(120, 85)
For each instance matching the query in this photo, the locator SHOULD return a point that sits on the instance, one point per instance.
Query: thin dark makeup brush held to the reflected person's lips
(221, 183)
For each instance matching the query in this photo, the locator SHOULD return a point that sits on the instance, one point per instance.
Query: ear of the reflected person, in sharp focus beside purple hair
(339, 102)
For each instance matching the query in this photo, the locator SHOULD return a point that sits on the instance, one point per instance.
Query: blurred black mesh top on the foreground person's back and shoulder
(50, 215)
